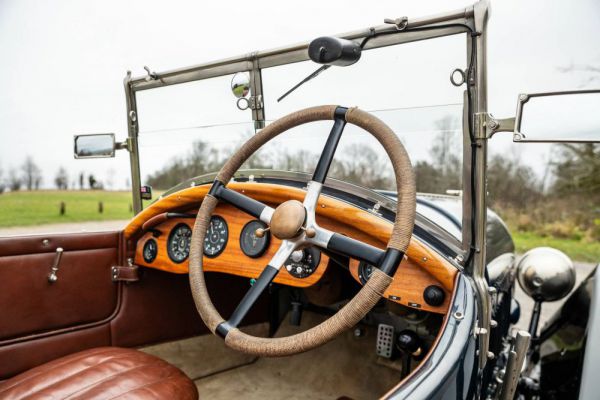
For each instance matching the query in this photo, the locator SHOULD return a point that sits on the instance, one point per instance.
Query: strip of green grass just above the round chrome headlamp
(579, 250)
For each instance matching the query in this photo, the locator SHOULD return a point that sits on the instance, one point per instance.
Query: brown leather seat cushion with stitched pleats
(102, 373)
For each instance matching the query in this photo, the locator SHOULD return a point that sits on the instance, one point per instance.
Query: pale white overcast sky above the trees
(63, 63)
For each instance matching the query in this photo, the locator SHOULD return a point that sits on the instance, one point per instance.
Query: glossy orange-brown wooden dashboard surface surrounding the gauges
(420, 268)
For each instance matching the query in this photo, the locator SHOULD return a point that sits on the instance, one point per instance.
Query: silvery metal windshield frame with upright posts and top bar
(471, 20)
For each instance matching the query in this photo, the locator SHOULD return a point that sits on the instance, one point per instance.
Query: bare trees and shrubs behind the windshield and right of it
(565, 202)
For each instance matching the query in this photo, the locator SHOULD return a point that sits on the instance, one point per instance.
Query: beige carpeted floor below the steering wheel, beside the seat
(344, 368)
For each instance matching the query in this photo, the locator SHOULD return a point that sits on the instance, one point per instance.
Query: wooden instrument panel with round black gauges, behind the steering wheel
(234, 243)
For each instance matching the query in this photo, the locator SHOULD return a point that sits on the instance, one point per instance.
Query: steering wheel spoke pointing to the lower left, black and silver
(260, 285)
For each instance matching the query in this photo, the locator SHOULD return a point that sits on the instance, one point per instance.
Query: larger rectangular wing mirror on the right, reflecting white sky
(571, 116)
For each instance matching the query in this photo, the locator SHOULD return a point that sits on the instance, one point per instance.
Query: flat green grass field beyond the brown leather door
(42, 207)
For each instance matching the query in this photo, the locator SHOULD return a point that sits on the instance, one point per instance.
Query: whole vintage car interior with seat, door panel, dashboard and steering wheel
(297, 262)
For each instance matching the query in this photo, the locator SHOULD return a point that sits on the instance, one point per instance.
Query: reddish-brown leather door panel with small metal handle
(84, 292)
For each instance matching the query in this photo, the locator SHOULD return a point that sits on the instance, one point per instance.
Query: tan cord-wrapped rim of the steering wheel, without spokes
(370, 293)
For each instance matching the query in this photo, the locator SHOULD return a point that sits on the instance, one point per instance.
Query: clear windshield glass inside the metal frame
(191, 129)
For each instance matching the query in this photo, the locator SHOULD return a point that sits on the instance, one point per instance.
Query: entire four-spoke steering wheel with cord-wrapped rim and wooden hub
(294, 223)
